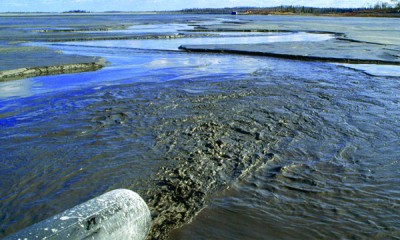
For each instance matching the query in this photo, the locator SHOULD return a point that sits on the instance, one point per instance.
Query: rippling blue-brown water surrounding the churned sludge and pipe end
(330, 133)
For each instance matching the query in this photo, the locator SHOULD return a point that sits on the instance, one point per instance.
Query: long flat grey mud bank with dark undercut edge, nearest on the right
(327, 51)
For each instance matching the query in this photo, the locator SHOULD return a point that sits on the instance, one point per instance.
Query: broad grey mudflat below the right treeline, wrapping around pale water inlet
(361, 41)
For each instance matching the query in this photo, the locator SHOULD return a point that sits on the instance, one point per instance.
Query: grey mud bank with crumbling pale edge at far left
(21, 62)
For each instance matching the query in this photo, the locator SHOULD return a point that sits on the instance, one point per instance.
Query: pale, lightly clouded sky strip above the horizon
(149, 5)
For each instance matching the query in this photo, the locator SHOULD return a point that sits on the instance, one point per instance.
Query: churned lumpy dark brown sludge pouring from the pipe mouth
(210, 155)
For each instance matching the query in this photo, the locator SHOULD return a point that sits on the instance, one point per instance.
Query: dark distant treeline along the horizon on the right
(378, 8)
